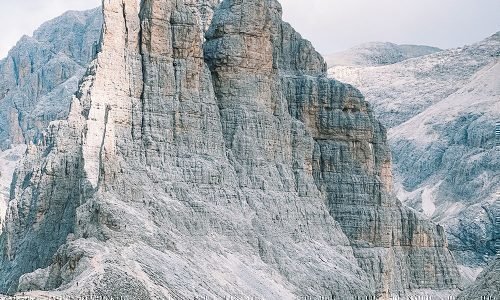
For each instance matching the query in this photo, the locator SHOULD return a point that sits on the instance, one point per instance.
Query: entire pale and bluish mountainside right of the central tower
(442, 109)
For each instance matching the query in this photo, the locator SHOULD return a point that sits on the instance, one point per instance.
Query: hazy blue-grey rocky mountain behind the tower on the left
(37, 80)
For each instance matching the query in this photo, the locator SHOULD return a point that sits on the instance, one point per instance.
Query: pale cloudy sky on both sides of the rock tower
(331, 25)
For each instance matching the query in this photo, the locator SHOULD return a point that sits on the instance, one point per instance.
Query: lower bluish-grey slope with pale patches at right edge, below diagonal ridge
(448, 165)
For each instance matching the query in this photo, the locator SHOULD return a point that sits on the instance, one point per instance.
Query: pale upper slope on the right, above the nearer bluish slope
(402, 90)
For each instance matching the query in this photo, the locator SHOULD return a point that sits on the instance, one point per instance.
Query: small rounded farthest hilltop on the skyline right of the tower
(377, 54)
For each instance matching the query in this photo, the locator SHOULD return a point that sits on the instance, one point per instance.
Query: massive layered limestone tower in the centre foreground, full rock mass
(225, 167)
